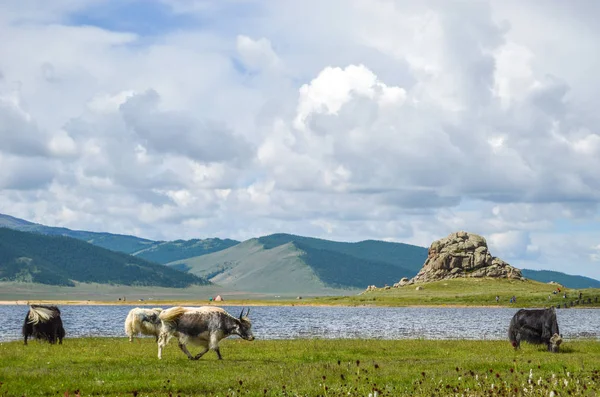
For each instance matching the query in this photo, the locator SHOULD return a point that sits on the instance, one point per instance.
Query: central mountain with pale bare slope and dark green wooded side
(283, 263)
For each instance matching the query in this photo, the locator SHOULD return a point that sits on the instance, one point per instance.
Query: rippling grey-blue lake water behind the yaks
(292, 322)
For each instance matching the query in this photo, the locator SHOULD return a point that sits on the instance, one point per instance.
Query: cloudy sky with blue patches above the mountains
(347, 120)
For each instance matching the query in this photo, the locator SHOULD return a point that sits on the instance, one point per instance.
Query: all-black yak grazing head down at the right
(537, 326)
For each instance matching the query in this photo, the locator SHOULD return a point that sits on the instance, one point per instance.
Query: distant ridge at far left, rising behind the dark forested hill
(114, 242)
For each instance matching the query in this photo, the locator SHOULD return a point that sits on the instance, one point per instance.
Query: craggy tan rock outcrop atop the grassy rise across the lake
(462, 254)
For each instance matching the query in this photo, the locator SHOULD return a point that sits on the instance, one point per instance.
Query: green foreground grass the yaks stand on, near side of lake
(115, 367)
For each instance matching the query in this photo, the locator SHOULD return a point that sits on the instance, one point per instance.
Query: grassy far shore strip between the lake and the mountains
(456, 292)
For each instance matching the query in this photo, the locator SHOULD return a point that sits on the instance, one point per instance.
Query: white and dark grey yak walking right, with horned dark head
(204, 326)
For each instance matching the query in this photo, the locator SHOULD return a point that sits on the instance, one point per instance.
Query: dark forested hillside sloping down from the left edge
(60, 260)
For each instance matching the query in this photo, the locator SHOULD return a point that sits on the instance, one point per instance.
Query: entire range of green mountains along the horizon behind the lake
(278, 263)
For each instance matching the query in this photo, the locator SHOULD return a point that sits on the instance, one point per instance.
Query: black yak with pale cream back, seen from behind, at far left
(43, 322)
